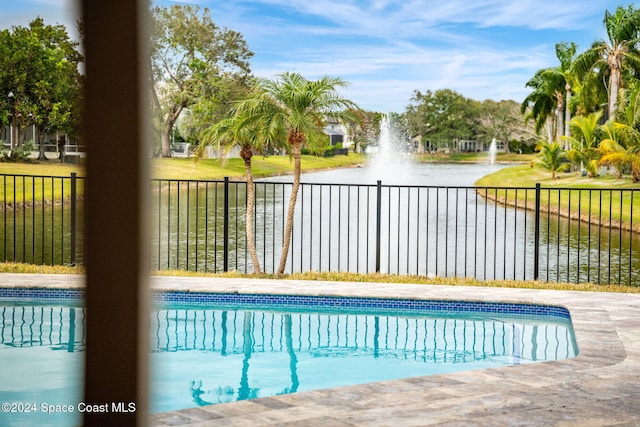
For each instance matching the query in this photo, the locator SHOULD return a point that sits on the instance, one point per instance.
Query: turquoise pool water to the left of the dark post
(41, 361)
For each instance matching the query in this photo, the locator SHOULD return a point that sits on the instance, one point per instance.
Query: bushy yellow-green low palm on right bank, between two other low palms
(584, 142)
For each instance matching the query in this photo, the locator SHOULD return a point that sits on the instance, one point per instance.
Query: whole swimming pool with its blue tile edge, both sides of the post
(216, 348)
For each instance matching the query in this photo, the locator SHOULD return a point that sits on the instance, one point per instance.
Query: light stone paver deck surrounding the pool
(599, 387)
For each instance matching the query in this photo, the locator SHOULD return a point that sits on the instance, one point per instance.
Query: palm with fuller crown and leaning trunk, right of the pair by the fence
(293, 109)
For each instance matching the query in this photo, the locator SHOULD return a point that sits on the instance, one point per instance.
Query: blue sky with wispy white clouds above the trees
(387, 49)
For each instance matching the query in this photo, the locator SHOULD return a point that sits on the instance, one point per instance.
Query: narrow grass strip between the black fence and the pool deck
(351, 277)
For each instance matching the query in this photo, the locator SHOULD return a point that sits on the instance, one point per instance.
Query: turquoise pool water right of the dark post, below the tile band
(219, 356)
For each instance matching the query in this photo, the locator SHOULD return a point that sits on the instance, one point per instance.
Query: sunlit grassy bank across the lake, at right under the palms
(565, 195)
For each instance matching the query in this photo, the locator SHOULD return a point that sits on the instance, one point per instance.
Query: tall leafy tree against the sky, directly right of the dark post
(191, 60)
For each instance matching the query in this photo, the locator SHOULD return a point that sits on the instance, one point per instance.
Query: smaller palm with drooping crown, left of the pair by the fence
(236, 131)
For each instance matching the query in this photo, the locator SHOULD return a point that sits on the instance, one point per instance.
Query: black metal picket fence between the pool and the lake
(552, 234)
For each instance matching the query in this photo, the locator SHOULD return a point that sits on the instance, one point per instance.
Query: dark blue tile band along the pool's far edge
(306, 302)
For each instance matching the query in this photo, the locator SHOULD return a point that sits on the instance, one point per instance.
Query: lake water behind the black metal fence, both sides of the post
(432, 221)
